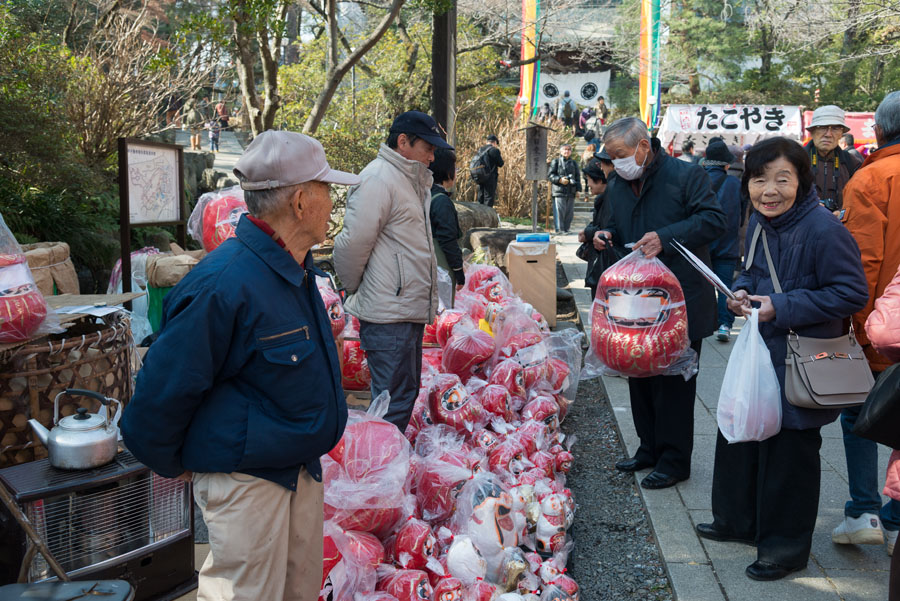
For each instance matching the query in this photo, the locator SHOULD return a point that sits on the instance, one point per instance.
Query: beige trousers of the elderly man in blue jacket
(265, 542)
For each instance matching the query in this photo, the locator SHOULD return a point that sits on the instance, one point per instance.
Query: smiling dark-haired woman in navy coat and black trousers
(767, 493)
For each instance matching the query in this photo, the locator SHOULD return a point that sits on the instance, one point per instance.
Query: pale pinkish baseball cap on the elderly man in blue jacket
(276, 159)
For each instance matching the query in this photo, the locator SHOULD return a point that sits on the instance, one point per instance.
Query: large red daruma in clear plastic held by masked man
(639, 319)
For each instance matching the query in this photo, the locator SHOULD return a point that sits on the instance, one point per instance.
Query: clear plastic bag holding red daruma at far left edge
(23, 309)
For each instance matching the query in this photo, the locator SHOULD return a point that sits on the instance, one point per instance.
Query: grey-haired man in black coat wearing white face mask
(655, 200)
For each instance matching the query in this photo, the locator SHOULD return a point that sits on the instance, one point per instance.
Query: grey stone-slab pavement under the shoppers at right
(703, 570)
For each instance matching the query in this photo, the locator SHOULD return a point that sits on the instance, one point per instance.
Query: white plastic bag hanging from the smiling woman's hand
(750, 400)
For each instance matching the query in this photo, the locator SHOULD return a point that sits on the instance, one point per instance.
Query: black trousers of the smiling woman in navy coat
(769, 492)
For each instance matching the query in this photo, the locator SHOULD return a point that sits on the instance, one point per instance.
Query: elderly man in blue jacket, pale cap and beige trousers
(241, 393)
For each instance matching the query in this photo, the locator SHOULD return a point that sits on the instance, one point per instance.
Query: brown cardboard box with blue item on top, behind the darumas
(532, 273)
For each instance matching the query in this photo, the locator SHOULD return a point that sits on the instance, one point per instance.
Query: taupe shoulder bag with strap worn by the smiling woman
(820, 373)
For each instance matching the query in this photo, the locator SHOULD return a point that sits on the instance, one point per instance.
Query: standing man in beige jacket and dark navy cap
(384, 257)
